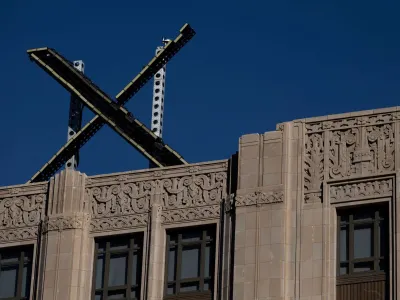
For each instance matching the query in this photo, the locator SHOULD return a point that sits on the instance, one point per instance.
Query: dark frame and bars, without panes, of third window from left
(203, 242)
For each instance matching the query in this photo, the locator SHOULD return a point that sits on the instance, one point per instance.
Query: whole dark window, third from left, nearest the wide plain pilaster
(190, 261)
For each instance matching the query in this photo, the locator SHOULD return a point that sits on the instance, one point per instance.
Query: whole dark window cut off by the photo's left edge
(15, 273)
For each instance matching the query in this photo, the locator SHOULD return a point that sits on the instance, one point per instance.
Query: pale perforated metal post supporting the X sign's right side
(157, 115)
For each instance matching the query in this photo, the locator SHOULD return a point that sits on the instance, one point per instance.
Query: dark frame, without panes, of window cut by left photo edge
(25, 258)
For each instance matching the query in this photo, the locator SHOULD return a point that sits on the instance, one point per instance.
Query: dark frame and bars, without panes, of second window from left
(135, 243)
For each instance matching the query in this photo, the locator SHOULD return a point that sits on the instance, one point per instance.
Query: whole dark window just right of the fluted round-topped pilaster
(118, 267)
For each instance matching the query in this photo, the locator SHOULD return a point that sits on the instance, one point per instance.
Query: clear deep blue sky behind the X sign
(251, 65)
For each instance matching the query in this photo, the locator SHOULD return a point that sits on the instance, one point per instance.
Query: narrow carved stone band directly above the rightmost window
(361, 190)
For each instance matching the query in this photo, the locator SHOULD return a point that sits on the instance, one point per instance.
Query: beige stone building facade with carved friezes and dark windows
(306, 212)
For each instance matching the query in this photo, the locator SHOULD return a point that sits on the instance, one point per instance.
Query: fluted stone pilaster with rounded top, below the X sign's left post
(66, 248)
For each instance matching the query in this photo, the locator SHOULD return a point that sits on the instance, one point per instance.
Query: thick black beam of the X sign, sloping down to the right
(123, 122)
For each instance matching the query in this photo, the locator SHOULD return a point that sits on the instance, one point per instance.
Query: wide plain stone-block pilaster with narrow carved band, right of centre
(260, 229)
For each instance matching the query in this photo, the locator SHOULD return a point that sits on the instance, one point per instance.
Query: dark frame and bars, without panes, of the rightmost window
(380, 213)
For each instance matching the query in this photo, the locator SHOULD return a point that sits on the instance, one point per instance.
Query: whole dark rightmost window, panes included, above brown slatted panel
(362, 240)
